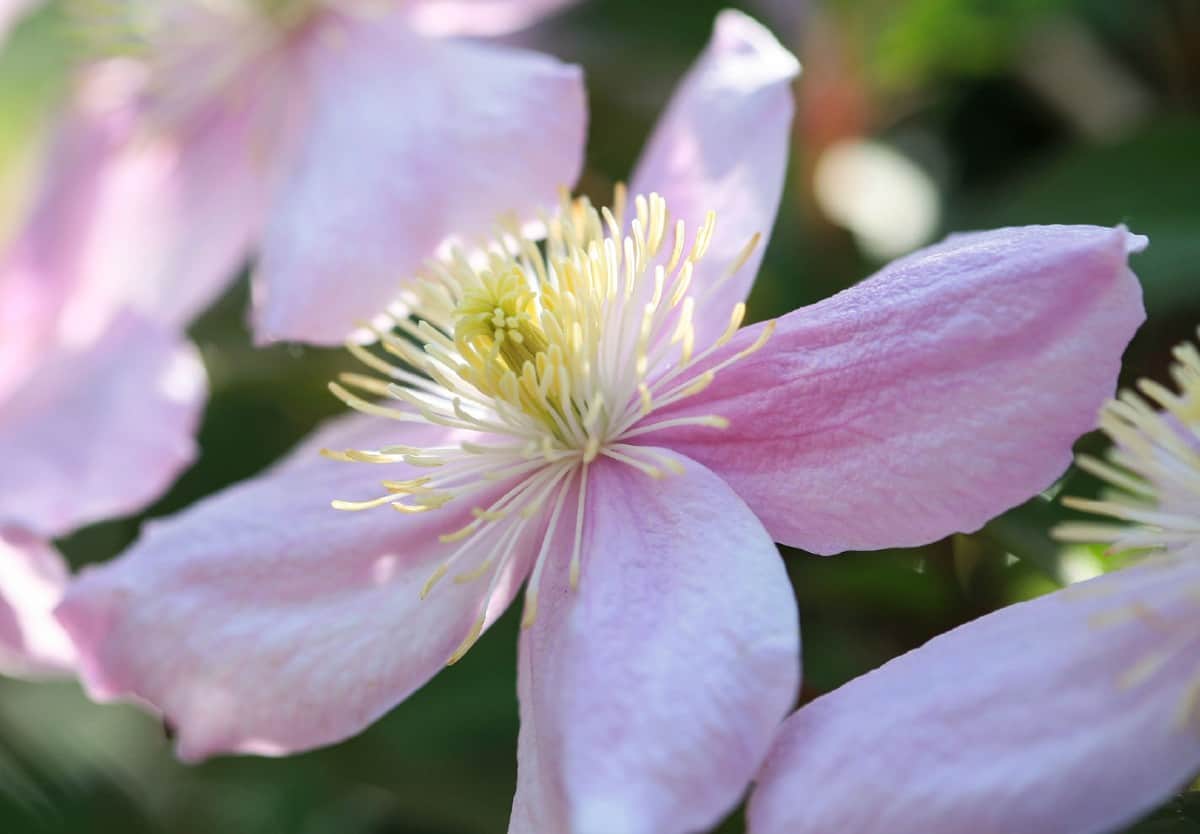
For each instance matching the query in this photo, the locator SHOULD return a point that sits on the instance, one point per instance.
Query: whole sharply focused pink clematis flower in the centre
(589, 418)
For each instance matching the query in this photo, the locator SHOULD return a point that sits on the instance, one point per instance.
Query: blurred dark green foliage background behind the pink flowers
(915, 118)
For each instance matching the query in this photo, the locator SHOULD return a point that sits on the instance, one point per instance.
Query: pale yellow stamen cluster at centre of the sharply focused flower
(543, 357)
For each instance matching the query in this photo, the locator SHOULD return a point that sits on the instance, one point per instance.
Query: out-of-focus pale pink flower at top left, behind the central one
(334, 137)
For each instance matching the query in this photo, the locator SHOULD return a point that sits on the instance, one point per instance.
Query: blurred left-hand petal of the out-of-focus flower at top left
(159, 221)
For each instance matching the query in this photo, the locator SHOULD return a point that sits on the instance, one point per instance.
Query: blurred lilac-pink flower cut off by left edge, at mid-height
(95, 429)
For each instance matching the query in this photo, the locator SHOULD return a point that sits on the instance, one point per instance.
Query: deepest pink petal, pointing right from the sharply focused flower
(928, 399)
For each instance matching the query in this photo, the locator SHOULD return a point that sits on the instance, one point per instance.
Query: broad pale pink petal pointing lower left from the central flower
(265, 621)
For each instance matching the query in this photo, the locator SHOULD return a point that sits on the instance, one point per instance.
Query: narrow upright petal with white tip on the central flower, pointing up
(722, 146)
